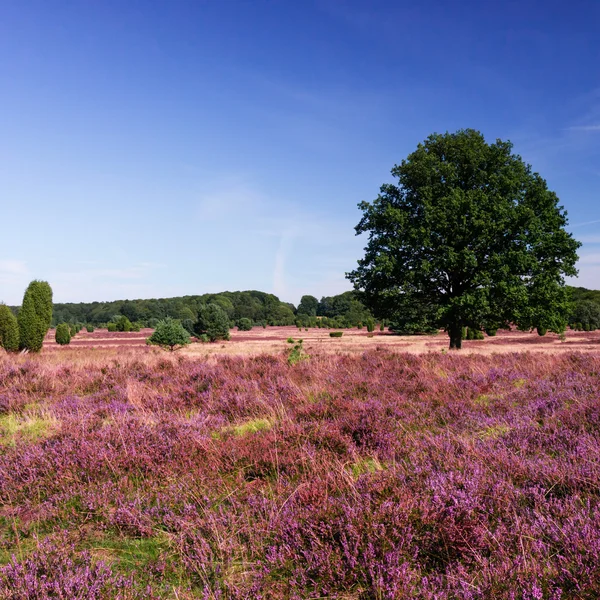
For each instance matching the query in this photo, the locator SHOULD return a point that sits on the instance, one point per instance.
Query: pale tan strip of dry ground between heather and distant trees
(354, 341)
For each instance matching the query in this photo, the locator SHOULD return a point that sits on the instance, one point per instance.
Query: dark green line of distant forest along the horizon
(343, 310)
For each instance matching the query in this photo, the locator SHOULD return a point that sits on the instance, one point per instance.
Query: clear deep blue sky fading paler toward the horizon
(159, 148)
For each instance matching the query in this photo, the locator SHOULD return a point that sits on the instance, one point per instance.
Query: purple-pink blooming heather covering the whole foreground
(131, 473)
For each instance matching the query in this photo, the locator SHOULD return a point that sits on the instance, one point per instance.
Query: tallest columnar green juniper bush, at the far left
(35, 316)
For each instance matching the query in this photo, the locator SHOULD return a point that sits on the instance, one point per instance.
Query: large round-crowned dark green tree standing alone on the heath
(470, 235)
